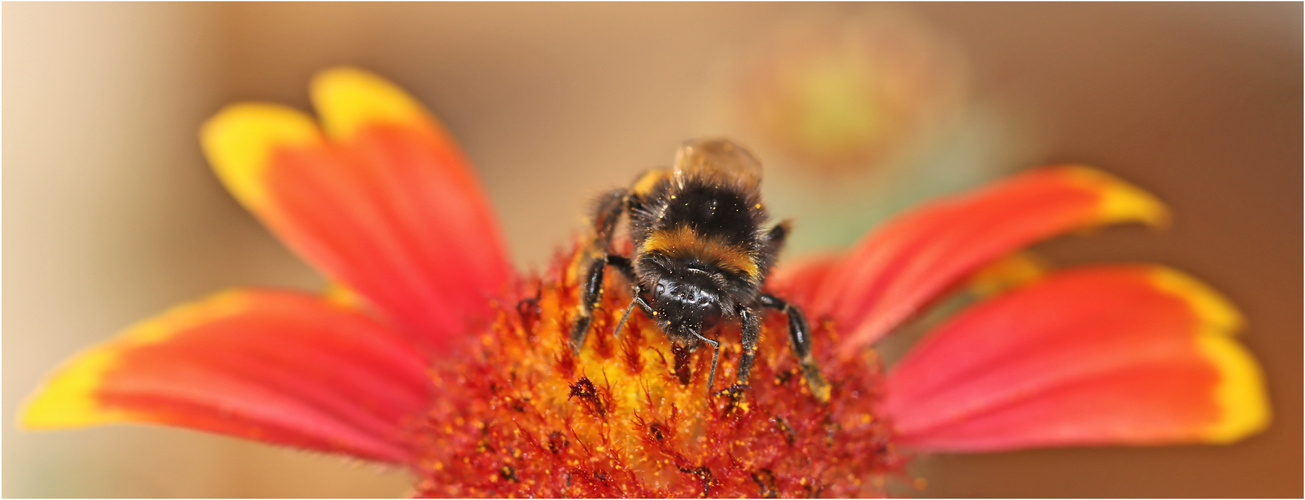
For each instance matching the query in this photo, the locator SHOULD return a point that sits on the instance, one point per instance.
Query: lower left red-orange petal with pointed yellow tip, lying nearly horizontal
(271, 366)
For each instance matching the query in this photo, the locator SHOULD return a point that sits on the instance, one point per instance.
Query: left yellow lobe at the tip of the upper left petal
(242, 139)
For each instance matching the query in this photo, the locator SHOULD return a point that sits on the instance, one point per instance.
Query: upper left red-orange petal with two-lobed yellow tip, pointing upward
(388, 207)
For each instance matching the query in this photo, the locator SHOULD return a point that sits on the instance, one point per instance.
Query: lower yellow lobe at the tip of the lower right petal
(1240, 395)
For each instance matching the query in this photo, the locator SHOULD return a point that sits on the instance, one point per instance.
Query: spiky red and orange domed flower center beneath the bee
(631, 416)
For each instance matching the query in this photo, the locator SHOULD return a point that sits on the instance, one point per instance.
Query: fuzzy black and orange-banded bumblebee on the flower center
(701, 255)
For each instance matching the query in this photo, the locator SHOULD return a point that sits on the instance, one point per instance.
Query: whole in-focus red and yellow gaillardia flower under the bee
(431, 353)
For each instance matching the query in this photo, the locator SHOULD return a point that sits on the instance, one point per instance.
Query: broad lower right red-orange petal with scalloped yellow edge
(1090, 357)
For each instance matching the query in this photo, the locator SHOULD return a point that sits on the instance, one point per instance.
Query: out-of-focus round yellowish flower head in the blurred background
(842, 95)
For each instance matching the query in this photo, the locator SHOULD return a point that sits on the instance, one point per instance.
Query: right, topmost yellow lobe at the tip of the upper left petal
(349, 99)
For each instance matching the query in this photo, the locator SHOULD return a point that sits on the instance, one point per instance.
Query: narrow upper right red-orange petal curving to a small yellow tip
(917, 258)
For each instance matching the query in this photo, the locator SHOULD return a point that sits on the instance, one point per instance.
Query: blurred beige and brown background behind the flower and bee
(113, 216)
